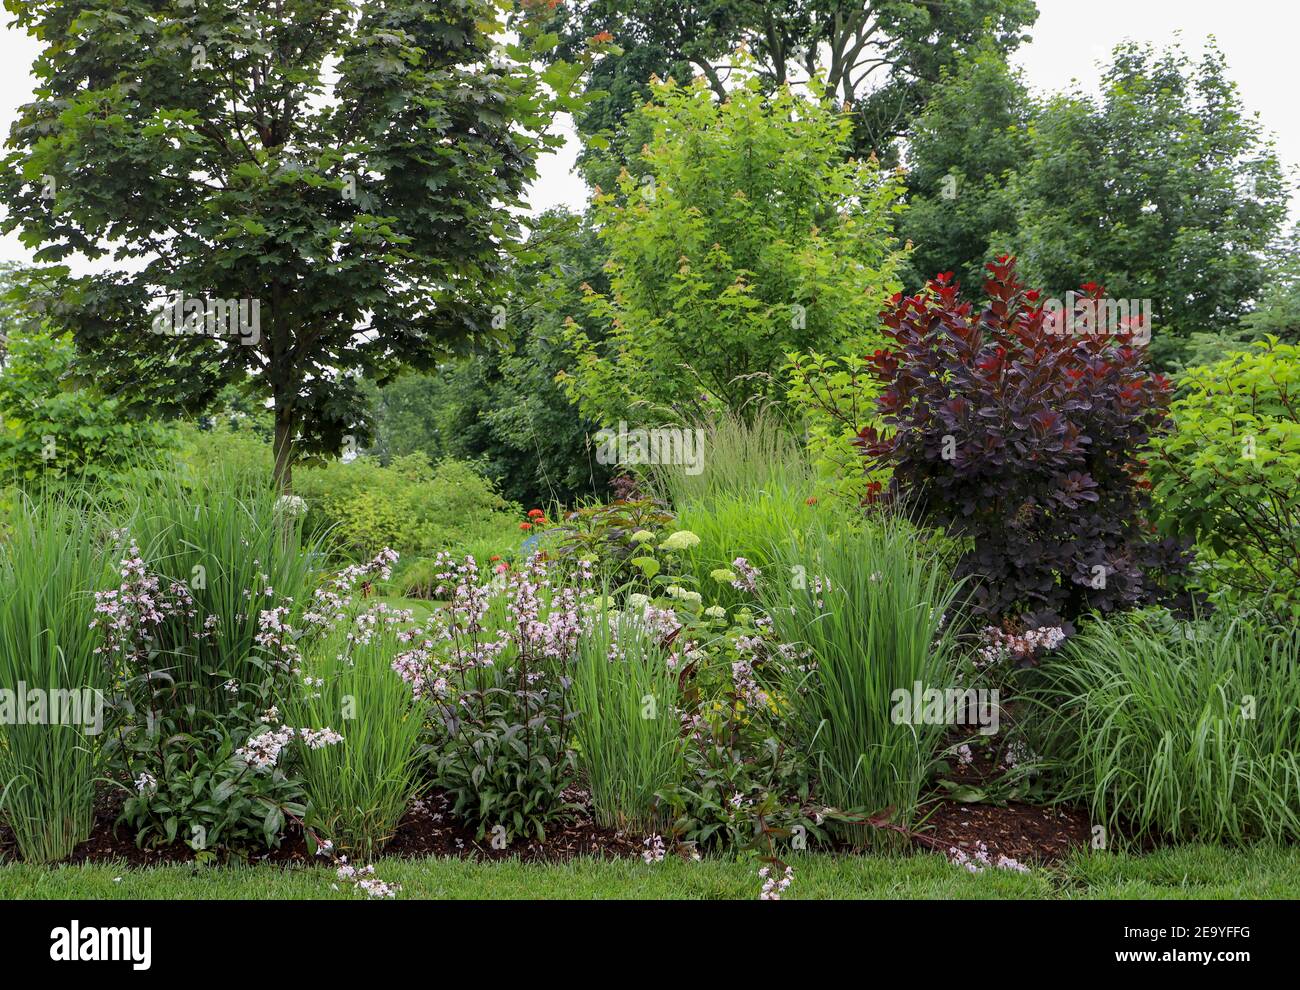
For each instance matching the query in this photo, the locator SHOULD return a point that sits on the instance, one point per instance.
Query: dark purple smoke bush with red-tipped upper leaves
(1028, 444)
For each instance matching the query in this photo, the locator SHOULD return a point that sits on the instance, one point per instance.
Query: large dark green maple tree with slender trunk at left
(339, 175)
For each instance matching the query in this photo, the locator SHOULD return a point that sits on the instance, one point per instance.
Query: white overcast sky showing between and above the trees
(1258, 37)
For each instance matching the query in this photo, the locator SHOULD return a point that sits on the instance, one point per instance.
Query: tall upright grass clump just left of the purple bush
(874, 610)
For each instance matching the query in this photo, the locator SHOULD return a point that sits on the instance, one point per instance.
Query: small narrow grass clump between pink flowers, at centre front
(627, 731)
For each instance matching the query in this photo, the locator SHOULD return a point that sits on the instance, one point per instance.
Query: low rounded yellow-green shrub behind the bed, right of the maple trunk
(409, 506)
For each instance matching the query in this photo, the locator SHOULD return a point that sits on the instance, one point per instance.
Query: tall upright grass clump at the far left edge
(51, 563)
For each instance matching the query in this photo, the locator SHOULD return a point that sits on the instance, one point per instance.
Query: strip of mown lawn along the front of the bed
(1186, 872)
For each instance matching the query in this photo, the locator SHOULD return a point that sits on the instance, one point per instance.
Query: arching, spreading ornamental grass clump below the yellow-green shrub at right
(1182, 731)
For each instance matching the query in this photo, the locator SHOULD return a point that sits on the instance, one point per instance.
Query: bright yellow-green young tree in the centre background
(749, 236)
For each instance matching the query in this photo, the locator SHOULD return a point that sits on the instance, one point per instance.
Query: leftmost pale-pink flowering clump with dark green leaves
(211, 776)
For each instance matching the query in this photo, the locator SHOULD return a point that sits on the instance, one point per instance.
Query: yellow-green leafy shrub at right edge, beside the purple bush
(1229, 475)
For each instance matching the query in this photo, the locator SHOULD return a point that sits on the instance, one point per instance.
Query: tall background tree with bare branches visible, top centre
(877, 59)
